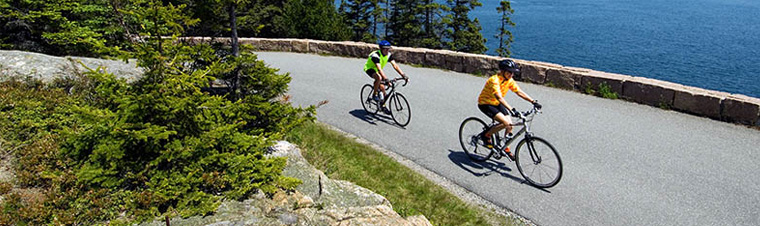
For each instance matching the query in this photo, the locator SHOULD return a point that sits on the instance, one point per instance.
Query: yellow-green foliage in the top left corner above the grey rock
(61, 27)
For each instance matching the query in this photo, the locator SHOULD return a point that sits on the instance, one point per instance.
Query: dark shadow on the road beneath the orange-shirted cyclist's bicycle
(487, 167)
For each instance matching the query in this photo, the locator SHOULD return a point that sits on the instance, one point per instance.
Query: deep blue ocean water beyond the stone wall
(712, 44)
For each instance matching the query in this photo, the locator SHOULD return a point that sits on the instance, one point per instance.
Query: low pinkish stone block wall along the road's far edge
(722, 106)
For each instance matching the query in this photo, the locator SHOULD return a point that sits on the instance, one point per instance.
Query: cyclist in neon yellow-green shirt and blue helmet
(374, 68)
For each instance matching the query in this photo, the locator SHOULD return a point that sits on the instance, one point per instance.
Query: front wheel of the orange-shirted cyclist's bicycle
(538, 162)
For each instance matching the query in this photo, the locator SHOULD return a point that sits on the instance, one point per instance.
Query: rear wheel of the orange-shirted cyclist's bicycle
(470, 141)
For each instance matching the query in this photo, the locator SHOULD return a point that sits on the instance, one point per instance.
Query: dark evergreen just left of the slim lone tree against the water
(463, 34)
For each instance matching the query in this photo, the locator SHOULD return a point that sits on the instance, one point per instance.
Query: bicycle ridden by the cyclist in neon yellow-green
(398, 107)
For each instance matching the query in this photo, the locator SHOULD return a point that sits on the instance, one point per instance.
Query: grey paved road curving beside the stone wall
(625, 164)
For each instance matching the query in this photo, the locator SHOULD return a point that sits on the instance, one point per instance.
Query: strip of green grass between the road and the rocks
(410, 193)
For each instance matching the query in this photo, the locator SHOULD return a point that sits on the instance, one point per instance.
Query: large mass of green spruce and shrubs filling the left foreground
(123, 153)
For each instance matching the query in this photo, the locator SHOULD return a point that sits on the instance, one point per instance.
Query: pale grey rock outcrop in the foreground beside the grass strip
(318, 201)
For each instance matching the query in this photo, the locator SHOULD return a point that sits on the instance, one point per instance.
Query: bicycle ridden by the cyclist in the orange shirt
(543, 167)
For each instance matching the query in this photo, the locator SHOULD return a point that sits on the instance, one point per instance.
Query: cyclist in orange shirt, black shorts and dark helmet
(492, 103)
